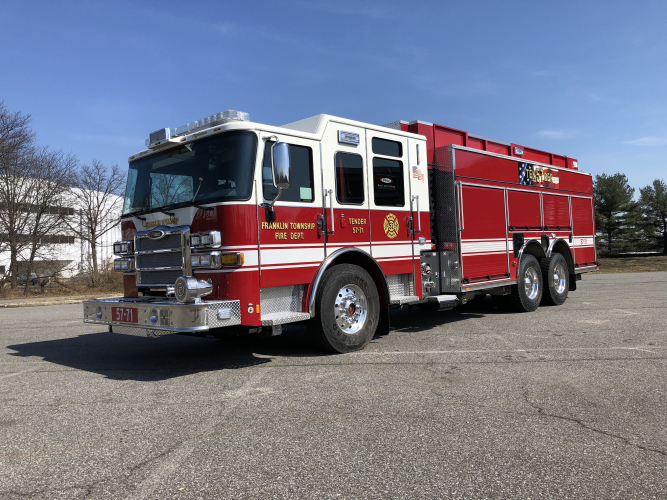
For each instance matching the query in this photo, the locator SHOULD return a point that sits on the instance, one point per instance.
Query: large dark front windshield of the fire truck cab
(218, 168)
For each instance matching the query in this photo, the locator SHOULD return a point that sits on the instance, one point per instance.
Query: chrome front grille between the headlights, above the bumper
(149, 264)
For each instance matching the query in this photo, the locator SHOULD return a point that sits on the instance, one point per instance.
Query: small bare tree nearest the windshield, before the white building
(98, 199)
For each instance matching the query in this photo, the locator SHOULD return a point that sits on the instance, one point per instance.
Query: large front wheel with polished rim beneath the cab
(347, 309)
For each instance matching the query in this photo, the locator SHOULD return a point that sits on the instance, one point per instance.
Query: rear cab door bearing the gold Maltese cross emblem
(390, 209)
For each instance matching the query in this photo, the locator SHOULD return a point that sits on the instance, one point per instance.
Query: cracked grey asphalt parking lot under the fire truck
(565, 402)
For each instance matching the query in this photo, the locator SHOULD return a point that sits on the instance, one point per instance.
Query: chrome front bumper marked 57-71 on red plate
(160, 316)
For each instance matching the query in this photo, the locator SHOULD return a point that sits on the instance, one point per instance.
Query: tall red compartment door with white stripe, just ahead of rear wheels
(483, 234)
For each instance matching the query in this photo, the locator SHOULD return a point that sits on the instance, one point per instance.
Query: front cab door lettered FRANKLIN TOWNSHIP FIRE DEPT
(291, 247)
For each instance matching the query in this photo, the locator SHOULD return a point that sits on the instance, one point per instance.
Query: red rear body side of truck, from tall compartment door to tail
(493, 189)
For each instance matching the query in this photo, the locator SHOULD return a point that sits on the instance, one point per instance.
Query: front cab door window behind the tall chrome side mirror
(301, 167)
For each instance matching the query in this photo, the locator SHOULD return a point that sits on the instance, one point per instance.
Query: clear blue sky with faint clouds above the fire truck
(585, 79)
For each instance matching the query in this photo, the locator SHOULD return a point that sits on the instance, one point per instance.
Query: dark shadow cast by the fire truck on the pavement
(124, 357)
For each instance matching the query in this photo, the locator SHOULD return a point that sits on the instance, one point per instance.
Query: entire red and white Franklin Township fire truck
(230, 225)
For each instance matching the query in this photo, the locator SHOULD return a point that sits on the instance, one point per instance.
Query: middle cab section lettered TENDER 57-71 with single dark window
(345, 191)
